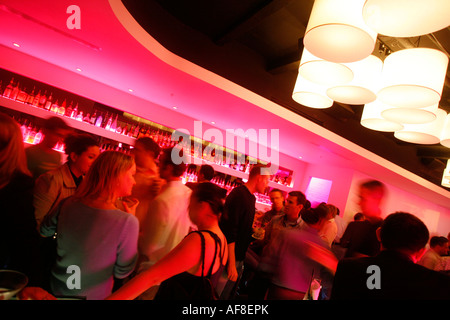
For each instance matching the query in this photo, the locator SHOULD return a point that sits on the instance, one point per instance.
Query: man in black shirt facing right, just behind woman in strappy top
(237, 223)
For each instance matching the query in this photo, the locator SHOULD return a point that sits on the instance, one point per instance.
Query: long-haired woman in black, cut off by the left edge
(18, 235)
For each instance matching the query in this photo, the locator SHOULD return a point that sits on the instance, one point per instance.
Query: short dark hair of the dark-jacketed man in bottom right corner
(402, 230)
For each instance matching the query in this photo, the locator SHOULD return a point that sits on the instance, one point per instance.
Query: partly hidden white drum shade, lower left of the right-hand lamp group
(371, 118)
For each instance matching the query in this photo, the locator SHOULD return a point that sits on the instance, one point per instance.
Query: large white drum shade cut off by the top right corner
(406, 18)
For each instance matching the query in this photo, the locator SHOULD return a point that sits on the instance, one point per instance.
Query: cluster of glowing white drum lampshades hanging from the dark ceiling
(400, 94)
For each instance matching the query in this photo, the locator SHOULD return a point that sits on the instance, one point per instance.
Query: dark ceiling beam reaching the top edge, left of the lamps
(251, 20)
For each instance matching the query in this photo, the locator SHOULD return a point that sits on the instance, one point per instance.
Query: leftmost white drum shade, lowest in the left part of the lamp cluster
(311, 94)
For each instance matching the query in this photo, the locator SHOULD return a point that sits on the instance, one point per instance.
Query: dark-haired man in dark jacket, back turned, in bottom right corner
(393, 274)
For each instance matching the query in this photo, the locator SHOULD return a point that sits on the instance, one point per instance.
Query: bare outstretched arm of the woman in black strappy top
(182, 258)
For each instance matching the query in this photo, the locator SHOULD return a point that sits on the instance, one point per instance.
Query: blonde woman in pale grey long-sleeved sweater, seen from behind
(95, 241)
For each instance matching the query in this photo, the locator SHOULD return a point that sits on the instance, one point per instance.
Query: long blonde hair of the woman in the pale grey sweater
(103, 175)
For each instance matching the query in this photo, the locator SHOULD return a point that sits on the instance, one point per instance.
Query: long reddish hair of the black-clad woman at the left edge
(12, 150)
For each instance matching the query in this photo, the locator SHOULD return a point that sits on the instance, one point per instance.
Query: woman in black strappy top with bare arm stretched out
(202, 254)
